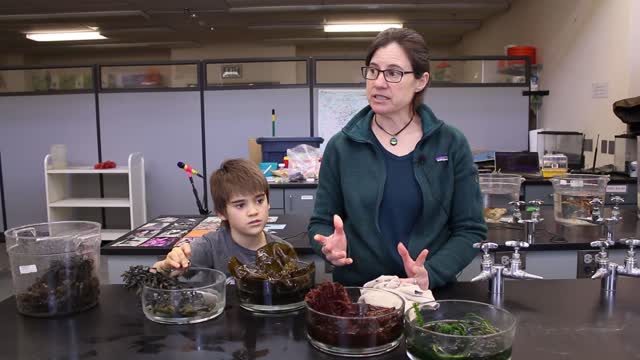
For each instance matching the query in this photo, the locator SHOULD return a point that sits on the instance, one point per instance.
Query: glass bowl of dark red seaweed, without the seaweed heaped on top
(359, 335)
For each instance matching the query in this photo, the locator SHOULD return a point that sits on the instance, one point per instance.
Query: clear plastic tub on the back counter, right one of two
(573, 194)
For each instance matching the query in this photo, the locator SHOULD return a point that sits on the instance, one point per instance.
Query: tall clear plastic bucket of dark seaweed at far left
(55, 267)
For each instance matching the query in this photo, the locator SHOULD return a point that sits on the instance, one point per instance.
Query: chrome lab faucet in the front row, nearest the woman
(496, 273)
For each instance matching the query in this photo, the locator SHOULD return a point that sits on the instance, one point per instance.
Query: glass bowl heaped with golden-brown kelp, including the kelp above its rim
(277, 281)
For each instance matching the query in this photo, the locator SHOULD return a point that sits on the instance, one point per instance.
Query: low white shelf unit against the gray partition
(60, 203)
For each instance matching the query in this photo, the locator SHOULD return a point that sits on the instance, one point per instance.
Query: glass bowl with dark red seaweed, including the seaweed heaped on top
(353, 321)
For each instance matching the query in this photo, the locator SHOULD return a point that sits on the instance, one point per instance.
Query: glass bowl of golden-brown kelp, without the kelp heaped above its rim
(275, 296)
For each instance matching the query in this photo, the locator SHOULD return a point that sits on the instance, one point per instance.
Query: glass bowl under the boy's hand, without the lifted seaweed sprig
(201, 299)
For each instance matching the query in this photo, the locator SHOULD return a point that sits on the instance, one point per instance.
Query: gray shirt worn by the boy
(214, 250)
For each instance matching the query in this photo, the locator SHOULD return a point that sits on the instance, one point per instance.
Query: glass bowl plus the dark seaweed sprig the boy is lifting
(182, 297)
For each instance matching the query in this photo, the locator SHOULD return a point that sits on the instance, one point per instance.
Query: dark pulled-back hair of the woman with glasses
(414, 47)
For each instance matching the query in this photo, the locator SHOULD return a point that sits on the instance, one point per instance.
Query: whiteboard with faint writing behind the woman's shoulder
(335, 108)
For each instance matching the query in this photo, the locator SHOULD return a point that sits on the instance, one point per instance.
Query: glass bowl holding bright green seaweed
(425, 343)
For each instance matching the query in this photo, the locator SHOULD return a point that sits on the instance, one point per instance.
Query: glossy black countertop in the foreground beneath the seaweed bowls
(557, 319)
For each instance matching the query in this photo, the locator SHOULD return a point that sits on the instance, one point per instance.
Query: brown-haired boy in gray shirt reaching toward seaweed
(241, 197)
